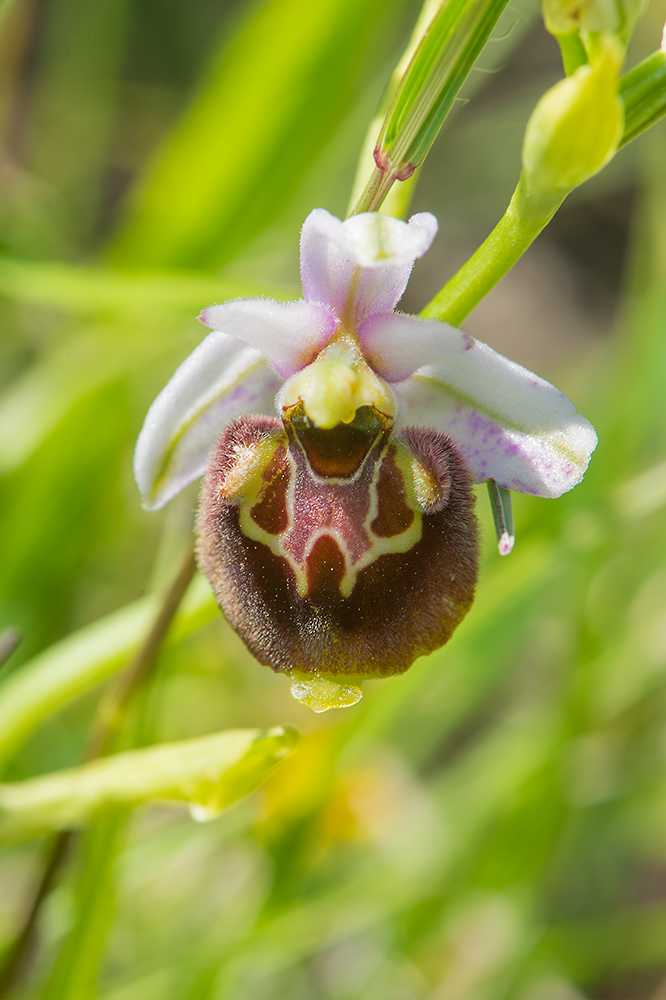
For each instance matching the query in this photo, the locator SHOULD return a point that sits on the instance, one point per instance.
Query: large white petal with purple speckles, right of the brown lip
(509, 424)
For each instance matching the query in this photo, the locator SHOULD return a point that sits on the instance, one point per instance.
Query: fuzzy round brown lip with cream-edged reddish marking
(338, 553)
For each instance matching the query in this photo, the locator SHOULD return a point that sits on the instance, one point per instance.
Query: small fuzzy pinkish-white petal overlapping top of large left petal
(291, 334)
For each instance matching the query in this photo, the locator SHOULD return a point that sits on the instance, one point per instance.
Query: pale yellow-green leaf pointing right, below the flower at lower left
(209, 773)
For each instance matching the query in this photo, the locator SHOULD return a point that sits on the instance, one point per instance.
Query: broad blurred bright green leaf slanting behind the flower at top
(272, 97)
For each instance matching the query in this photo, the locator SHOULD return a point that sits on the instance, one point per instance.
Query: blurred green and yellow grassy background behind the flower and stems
(492, 823)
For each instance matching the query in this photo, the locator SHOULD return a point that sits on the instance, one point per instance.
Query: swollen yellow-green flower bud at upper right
(575, 128)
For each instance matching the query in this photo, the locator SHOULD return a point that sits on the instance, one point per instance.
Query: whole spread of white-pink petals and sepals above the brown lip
(507, 423)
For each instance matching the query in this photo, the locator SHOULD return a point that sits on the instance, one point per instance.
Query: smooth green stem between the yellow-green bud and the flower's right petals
(517, 229)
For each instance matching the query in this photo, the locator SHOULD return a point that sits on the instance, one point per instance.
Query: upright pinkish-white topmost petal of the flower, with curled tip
(361, 266)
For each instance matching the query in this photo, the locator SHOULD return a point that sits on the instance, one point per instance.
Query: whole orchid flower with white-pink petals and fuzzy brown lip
(340, 440)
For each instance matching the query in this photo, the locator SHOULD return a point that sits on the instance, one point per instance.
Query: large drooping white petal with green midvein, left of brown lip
(222, 379)
